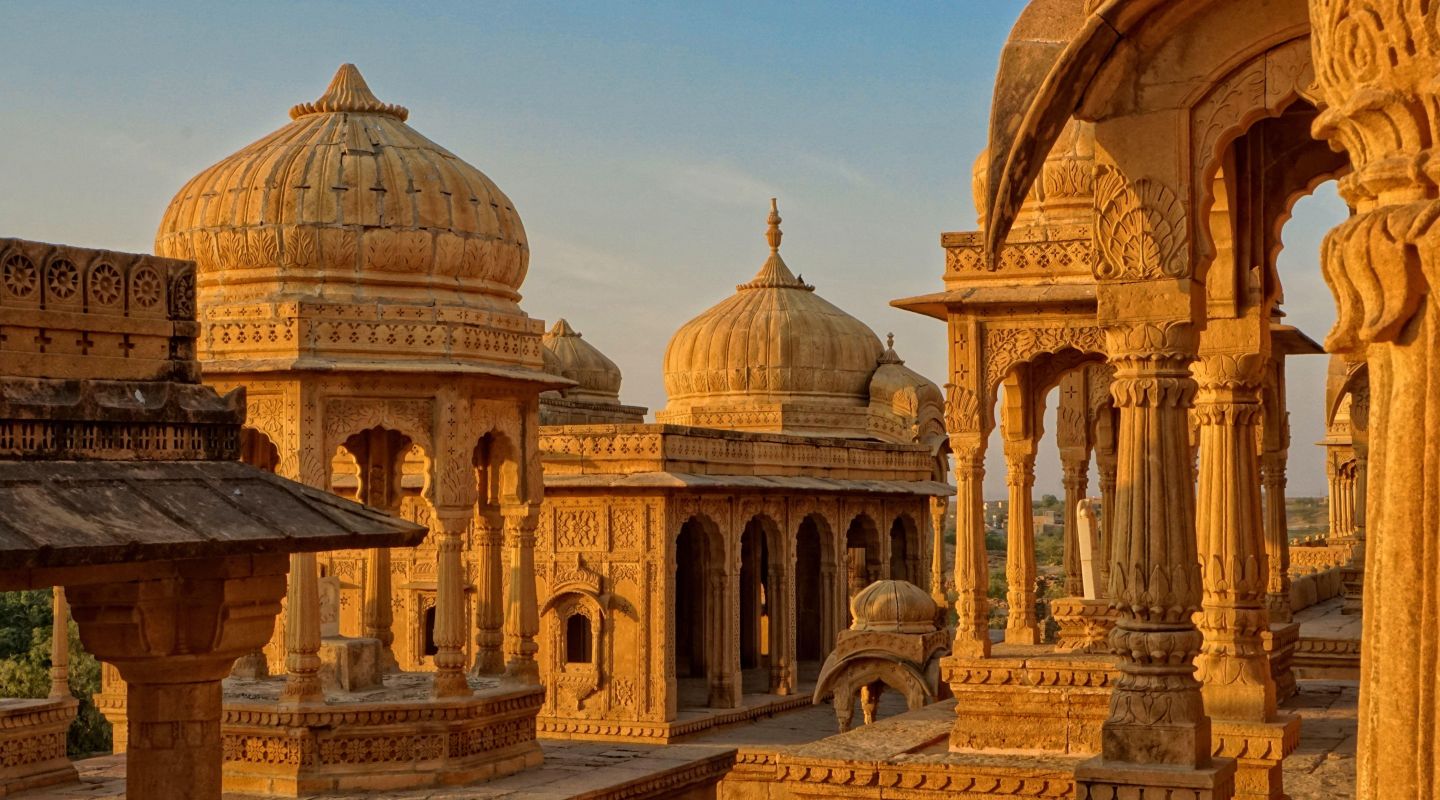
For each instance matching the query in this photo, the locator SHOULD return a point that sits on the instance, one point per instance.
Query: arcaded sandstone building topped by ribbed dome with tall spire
(698, 572)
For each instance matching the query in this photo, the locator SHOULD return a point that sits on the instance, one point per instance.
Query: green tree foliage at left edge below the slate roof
(27, 624)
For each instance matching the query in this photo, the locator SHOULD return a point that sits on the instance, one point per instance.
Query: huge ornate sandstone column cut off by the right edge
(1376, 68)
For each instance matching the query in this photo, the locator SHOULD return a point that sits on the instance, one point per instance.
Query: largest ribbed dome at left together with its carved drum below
(361, 237)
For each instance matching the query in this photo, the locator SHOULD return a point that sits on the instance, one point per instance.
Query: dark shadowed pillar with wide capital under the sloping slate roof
(174, 641)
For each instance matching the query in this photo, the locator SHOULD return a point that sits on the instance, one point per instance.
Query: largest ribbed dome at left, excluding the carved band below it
(349, 204)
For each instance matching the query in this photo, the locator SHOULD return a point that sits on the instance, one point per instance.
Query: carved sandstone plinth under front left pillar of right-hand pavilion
(1027, 700)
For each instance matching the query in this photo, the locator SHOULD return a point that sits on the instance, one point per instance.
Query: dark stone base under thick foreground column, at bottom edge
(1112, 781)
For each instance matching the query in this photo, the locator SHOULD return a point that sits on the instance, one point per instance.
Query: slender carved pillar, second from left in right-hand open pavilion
(1022, 627)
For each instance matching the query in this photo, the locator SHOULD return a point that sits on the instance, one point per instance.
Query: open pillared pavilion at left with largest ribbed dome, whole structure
(361, 283)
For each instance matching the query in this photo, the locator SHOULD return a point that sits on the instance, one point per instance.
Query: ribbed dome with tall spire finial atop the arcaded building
(774, 340)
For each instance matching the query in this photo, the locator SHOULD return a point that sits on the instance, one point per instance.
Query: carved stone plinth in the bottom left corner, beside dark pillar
(32, 743)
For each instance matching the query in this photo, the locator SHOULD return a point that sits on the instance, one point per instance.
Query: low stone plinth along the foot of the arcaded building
(689, 723)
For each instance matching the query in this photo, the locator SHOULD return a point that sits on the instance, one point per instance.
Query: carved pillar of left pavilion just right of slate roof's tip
(450, 602)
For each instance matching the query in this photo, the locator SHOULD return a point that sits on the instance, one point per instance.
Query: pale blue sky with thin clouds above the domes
(640, 143)
